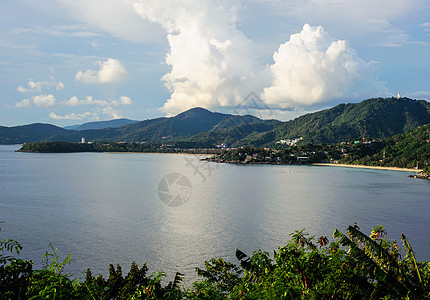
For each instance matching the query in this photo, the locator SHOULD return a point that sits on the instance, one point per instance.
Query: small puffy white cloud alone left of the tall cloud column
(110, 71)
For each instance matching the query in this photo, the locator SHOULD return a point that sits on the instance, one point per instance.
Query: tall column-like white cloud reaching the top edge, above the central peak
(213, 63)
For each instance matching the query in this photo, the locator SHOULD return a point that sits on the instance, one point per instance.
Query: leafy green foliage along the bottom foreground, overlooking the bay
(353, 266)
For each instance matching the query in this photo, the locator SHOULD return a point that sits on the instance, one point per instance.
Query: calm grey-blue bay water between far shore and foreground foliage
(105, 208)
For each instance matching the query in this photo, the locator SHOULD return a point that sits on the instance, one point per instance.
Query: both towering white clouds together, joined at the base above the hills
(213, 63)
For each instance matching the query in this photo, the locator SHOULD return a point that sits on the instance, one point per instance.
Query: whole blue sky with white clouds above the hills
(67, 62)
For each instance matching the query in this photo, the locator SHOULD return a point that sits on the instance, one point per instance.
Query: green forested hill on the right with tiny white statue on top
(372, 118)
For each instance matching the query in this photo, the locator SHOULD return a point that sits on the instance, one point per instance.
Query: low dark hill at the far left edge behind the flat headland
(28, 133)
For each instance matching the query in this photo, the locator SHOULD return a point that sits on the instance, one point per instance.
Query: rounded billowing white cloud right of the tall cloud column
(313, 67)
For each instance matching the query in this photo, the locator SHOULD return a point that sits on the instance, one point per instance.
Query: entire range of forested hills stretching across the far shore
(373, 118)
